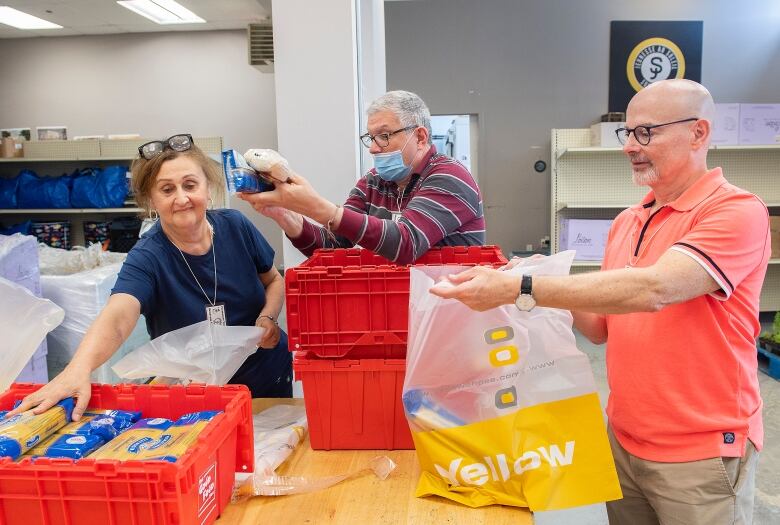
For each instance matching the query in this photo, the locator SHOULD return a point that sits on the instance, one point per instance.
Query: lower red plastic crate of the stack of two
(354, 403)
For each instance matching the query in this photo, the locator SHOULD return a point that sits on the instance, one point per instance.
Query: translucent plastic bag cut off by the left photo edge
(24, 322)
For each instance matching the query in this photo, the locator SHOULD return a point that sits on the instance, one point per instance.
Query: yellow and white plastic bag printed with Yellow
(502, 405)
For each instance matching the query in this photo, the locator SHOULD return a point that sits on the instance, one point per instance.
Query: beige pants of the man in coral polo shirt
(708, 492)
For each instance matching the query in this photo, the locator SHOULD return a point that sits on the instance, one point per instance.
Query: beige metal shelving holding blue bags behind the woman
(74, 153)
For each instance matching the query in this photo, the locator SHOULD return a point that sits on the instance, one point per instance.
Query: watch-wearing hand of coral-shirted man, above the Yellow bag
(480, 288)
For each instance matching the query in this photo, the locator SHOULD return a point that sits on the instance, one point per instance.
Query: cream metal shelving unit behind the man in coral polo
(595, 183)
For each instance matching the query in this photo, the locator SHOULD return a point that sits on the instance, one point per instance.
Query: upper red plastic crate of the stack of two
(352, 301)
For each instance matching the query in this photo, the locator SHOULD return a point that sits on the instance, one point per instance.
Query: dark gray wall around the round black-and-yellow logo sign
(526, 66)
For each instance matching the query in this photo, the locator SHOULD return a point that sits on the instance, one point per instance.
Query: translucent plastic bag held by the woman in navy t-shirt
(202, 352)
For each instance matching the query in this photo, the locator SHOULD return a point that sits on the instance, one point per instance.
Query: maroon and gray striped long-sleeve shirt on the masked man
(440, 206)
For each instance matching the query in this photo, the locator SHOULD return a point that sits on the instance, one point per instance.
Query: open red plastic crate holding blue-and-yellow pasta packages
(194, 490)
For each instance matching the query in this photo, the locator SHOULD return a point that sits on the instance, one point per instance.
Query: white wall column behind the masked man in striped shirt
(318, 97)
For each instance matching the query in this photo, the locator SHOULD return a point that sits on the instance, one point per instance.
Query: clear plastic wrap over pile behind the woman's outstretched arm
(83, 295)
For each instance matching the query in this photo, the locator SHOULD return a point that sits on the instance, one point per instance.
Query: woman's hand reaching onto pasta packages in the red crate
(73, 381)
